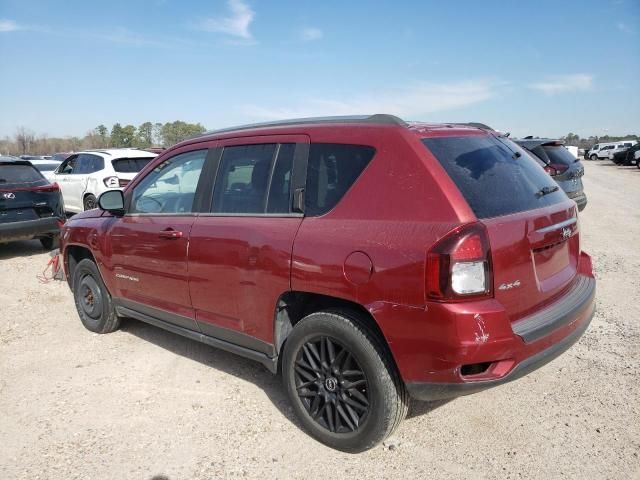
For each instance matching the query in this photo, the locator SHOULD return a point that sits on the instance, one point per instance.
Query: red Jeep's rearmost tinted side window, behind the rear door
(331, 170)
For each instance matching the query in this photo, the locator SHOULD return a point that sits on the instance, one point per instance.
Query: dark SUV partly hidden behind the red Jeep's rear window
(558, 162)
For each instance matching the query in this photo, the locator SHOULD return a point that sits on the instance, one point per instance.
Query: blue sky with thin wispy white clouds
(542, 68)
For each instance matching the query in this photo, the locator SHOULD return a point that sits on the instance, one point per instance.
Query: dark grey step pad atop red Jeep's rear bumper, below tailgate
(559, 314)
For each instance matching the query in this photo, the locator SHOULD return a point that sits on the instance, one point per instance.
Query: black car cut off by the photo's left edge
(30, 206)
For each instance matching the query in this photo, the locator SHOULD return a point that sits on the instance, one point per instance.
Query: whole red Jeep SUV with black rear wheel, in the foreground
(366, 259)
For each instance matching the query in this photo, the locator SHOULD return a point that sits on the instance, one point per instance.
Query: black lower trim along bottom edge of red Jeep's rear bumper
(441, 391)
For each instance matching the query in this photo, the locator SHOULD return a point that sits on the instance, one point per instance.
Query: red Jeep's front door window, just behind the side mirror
(171, 186)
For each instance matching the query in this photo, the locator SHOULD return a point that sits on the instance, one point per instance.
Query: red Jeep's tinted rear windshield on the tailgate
(495, 176)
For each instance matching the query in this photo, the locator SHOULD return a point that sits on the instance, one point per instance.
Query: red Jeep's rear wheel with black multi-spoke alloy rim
(354, 418)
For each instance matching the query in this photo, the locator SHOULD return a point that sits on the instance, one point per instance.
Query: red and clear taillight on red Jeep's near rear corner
(459, 265)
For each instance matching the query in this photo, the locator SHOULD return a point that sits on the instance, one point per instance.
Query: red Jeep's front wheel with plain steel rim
(92, 299)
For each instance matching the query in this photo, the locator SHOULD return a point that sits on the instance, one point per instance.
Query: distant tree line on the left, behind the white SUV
(146, 135)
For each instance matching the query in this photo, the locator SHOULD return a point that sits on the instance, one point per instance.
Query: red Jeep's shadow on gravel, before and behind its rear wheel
(239, 367)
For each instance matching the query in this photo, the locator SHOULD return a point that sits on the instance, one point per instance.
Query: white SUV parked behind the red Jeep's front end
(85, 175)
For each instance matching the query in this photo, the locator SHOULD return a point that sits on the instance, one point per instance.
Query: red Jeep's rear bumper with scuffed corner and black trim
(449, 350)
